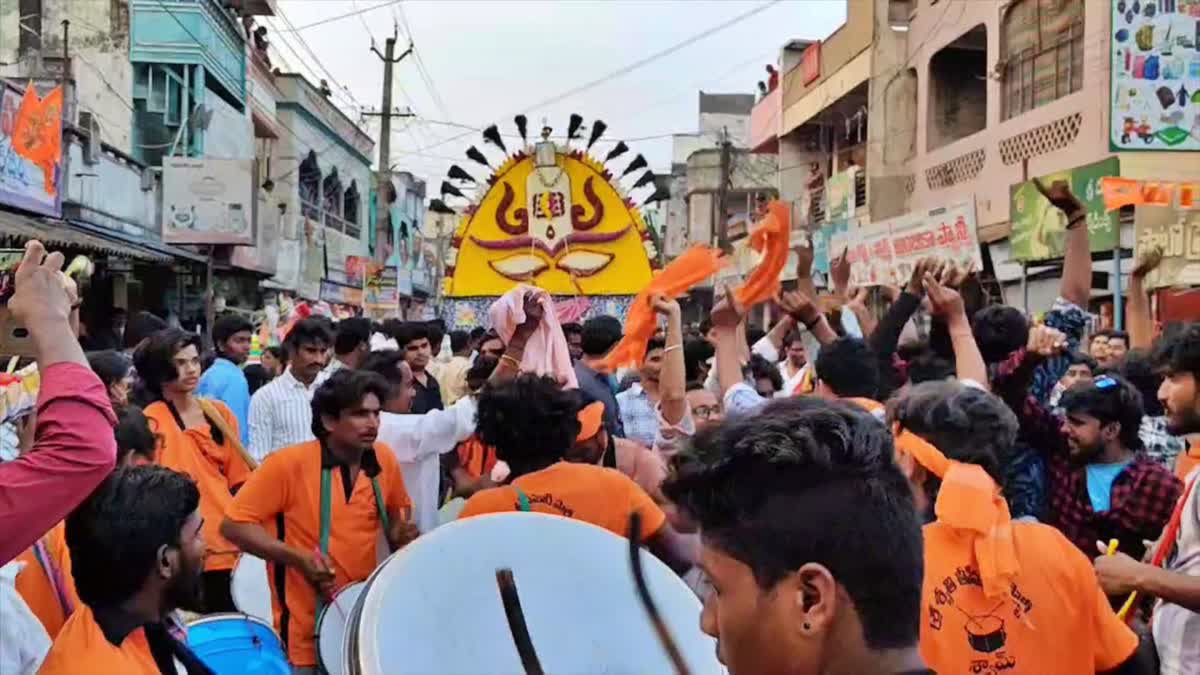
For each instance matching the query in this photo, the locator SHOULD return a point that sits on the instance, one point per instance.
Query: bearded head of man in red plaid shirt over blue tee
(1102, 420)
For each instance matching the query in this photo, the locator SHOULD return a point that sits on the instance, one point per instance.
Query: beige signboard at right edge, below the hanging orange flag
(1178, 234)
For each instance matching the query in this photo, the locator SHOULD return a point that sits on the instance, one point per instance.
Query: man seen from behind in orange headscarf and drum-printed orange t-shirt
(998, 595)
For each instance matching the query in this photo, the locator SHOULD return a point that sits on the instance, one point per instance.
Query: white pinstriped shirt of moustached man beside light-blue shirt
(281, 415)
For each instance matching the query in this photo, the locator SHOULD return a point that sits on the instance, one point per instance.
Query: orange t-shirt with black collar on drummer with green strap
(289, 485)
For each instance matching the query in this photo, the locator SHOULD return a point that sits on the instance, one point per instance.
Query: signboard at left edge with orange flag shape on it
(32, 150)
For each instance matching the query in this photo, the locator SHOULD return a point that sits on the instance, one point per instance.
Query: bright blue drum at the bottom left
(236, 644)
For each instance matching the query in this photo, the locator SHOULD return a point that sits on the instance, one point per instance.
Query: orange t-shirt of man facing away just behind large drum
(584, 492)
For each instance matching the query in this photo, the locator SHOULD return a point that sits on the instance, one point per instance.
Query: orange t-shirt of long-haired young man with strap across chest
(215, 469)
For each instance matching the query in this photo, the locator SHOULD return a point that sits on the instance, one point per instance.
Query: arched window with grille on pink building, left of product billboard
(1042, 53)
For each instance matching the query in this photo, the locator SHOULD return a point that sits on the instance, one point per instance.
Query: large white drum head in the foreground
(434, 607)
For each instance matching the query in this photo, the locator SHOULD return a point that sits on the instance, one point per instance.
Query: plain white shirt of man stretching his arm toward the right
(419, 441)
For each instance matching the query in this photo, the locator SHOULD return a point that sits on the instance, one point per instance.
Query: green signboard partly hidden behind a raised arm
(1040, 230)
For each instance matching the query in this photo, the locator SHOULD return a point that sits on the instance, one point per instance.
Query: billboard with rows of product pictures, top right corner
(1155, 51)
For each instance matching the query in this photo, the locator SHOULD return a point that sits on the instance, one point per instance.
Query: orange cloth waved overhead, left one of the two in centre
(689, 270)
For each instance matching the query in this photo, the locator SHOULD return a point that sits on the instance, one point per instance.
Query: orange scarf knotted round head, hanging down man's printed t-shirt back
(969, 501)
